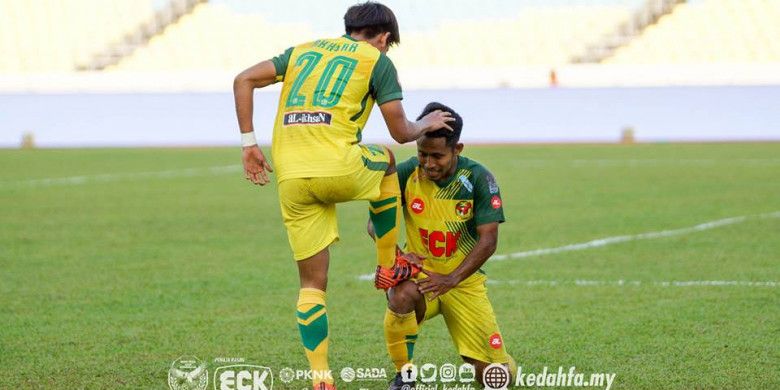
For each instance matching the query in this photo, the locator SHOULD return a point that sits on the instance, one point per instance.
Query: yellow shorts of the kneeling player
(470, 319)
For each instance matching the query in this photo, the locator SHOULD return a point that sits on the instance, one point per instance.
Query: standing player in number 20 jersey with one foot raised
(330, 86)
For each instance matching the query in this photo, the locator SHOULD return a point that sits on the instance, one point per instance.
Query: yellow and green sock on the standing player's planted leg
(313, 324)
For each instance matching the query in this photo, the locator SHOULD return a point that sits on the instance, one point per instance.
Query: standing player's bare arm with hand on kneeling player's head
(403, 130)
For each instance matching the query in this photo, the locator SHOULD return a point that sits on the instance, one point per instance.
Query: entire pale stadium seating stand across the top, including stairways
(500, 42)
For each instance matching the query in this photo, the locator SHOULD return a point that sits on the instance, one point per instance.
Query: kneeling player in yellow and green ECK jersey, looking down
(452, 209)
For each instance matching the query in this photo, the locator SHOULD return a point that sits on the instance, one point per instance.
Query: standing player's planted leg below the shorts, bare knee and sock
(313, 317)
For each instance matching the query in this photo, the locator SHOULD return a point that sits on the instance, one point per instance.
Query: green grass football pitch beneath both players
(129, 258)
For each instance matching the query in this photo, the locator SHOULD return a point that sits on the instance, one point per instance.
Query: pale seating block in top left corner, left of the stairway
(50, 36)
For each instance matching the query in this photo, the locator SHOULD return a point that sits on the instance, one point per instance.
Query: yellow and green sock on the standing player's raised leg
(385, 214)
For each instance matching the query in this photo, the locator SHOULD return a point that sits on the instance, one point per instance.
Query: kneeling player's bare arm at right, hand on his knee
(439, 284)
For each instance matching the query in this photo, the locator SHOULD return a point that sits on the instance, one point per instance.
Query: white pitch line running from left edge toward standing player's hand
(112, 177)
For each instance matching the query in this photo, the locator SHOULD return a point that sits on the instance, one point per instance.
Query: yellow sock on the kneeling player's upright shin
(400, 337)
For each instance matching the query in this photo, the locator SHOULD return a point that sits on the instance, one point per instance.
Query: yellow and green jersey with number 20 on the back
(330, 86)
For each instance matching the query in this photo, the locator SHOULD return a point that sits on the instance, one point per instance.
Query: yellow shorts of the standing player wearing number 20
(309, 204)
